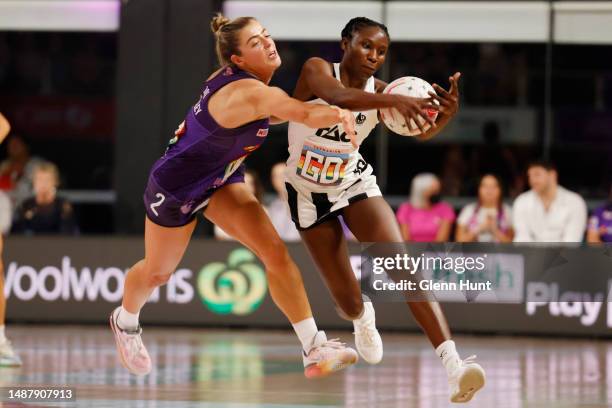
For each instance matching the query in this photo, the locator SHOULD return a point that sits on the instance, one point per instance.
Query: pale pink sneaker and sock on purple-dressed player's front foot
(327, 356)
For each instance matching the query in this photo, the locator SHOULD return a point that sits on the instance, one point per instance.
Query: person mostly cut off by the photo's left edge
(8, 358)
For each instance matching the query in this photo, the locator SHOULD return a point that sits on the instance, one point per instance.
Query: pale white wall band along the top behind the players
(576, 22)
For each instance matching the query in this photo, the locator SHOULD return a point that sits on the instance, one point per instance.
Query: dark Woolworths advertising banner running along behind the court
(531, 289)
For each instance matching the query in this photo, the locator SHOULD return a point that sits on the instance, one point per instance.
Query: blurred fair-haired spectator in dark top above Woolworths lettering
(45, 213)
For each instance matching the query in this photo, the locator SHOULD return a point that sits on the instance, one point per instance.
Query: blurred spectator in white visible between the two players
(278, 210)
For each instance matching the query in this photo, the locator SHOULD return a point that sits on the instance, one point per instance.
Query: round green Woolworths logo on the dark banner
(236, 287)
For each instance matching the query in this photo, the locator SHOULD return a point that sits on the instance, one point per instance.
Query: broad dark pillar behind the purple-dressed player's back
(166, 50)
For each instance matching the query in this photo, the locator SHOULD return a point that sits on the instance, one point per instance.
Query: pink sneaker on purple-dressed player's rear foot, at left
(132, 353)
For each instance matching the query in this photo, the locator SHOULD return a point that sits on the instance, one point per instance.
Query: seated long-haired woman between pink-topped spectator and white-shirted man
(488, 219)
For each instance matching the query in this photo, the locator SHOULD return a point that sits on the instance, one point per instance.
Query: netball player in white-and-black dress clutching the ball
(326, 176)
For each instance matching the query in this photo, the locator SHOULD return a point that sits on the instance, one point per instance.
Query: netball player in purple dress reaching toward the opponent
(202, 170)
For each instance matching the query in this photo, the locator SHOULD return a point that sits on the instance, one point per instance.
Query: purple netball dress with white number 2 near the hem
(203, 158)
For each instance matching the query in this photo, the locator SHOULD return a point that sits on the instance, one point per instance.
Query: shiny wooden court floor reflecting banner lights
(246, 368)
